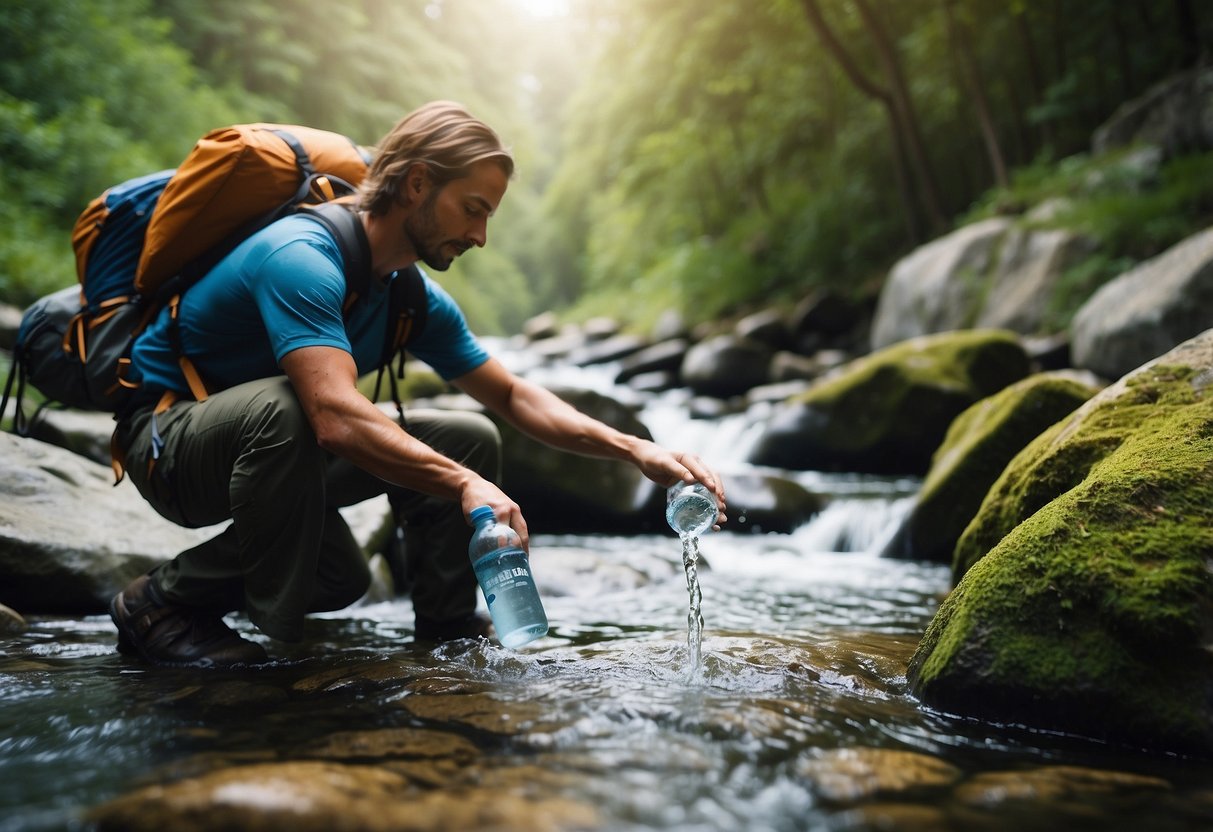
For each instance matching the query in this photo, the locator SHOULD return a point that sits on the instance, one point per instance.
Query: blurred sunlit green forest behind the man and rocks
(704, 157)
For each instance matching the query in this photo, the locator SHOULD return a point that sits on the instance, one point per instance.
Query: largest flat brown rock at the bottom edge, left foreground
(321, 796)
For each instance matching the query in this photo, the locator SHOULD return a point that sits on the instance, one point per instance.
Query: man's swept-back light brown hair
(441, 135)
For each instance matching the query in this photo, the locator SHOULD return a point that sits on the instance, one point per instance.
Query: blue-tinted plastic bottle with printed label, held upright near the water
(504, 573)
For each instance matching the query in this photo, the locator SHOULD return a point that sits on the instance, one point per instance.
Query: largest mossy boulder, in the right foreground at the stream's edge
(1087, 601)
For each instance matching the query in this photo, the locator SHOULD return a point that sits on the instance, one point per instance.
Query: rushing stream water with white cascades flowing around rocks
(795, 716)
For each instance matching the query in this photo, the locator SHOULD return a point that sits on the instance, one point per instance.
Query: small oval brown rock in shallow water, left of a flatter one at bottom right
(855, 776)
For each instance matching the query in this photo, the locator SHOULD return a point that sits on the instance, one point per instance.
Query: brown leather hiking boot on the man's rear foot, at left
(176, 636)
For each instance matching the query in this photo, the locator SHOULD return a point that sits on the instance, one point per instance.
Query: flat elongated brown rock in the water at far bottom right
(1051, 784)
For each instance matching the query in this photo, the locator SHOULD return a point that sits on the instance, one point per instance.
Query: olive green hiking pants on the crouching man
(248, 455)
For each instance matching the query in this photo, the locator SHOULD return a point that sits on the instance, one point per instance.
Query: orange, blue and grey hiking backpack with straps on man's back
(145, 242)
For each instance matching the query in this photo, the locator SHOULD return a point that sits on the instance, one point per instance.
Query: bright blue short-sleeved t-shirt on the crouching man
(280, 290)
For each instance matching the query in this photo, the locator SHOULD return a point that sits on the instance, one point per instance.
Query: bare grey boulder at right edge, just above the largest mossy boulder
(1147, 311)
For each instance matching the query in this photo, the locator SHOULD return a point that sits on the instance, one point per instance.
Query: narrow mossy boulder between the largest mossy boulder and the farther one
(978, 446)
